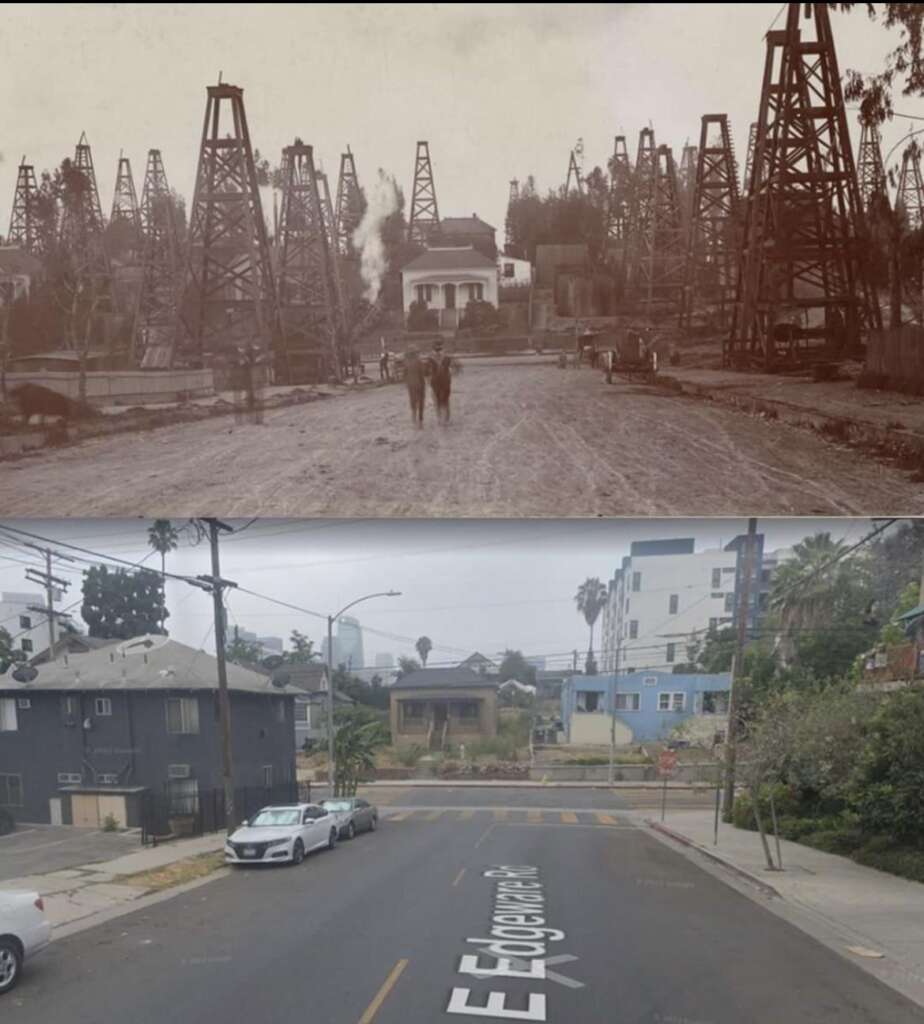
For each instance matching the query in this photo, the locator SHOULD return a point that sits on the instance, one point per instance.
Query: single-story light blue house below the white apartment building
(649, 706)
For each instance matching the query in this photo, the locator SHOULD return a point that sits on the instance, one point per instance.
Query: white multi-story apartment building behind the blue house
(666, 596)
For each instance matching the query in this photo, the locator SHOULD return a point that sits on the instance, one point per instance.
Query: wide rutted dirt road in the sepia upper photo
(524, 441)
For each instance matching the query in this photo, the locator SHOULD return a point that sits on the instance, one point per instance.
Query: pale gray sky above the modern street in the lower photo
(470, 585)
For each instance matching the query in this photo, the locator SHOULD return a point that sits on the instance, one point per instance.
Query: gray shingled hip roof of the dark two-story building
(151, 663)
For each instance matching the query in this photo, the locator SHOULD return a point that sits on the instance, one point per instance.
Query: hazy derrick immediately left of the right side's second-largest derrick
(662, 252)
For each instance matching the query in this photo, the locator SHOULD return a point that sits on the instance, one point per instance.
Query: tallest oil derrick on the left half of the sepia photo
(230, 300)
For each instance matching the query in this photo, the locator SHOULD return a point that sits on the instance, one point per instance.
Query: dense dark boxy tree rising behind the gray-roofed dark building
(119, 605)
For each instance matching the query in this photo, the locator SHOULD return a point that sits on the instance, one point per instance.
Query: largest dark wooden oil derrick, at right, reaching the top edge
(804, 290)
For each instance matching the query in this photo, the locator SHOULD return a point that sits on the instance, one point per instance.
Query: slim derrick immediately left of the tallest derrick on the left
(156, 313)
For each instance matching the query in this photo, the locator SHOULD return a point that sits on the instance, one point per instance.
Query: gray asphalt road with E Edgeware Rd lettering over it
(375, 931)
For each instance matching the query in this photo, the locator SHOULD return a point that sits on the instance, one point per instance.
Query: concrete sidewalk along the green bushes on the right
(856, 911)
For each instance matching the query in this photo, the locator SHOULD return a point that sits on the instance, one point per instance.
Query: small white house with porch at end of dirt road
(447, 280)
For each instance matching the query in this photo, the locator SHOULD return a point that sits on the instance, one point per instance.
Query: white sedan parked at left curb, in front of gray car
(284, 835)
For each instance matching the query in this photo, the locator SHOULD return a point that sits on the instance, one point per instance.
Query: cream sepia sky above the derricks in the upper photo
(499, 91)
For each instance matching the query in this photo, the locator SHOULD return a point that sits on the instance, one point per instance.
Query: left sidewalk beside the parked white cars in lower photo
(76, 894)
